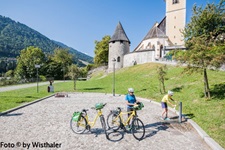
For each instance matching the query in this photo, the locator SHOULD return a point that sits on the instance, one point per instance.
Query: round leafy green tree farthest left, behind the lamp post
(27, 60)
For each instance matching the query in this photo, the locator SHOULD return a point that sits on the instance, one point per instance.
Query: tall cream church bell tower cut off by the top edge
(175, 21)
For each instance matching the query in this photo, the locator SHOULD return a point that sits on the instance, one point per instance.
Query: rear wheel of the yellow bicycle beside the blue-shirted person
(113, 121)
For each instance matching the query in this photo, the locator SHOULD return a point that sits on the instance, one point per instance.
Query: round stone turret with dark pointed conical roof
(119, 45)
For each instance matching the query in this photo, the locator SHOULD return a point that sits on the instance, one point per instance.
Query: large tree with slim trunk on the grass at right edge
(201, 33)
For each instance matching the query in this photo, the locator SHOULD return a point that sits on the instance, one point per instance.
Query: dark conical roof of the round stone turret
(119, 34)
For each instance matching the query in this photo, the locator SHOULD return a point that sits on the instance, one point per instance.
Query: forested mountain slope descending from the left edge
(15, 36)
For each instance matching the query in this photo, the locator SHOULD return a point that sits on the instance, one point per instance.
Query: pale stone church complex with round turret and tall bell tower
(161, 38)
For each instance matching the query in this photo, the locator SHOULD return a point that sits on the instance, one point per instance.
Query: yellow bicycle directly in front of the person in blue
(116, 121)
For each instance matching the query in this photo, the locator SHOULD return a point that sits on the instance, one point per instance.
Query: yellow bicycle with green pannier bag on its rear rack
(80, 121)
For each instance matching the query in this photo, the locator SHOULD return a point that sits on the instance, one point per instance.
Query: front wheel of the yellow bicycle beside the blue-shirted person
(138, 129)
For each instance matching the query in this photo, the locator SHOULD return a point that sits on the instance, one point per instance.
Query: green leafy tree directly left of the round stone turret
(102, 50)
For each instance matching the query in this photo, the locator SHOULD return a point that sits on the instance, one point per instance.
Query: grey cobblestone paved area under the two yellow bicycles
(47, 123)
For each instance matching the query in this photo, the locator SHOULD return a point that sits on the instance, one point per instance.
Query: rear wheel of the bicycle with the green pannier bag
(78, 126)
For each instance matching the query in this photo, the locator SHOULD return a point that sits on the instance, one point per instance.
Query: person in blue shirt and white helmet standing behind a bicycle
(130, 100)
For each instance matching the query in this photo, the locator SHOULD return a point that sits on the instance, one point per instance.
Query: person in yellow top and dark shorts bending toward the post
(166, 99)
